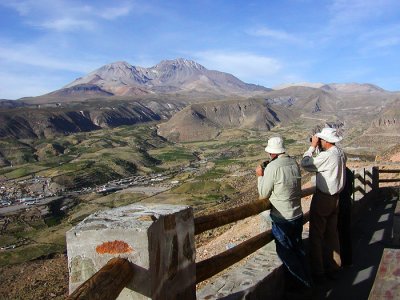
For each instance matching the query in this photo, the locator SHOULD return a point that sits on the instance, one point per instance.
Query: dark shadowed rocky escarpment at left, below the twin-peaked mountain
(51, 121)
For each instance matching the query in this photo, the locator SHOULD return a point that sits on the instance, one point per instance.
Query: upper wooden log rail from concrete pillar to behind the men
(207, 222)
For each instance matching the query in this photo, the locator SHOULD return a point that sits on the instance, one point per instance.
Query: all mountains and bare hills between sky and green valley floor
(188, 95)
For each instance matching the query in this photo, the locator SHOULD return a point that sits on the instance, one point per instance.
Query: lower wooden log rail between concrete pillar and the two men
(215, 264)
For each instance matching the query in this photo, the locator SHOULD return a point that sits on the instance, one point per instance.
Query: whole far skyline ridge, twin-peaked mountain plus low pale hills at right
(176, 76)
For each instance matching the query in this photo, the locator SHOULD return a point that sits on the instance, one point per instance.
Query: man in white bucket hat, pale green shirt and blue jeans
(280, 182)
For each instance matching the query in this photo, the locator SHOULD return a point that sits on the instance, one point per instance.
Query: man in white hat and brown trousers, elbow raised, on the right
(329, 165)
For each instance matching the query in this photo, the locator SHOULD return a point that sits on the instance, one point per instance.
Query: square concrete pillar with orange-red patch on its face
(157, 239)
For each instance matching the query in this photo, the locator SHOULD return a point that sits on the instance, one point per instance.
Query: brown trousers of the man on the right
(324, 239)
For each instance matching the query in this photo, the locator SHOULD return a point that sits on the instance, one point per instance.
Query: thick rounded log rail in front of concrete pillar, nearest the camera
(107, 283)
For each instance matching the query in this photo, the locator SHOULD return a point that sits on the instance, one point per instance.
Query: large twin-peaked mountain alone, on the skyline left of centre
(169, 76)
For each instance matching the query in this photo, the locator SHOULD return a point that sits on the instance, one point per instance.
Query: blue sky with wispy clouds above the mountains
(46, 44)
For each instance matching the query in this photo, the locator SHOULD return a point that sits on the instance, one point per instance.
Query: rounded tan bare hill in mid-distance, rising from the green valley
(206, 120)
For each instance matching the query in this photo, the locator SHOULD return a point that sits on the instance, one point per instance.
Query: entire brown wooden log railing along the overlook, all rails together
(108, 282)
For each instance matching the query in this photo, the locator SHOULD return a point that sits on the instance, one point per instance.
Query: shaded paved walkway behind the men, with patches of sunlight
(371, 234)
